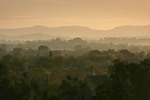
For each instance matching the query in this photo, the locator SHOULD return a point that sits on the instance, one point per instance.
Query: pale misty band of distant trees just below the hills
(80, 44)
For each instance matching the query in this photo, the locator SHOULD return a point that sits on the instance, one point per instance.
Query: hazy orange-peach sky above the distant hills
(96, 14)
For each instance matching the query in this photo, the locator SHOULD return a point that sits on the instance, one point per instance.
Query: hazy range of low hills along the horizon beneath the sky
(74, 31)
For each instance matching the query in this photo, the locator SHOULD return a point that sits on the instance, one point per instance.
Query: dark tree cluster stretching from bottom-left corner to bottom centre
(25, 88)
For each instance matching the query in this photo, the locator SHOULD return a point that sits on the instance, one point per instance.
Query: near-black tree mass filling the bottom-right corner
(128, 81)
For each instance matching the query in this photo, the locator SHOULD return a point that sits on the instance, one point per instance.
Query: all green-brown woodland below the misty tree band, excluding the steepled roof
(54, 76)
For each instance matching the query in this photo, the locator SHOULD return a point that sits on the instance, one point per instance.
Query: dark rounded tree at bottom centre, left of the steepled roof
(73, 88)
